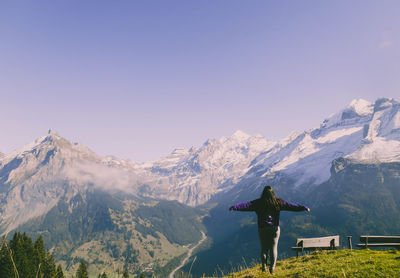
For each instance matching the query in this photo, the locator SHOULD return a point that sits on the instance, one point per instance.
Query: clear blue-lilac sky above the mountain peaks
(137, 79)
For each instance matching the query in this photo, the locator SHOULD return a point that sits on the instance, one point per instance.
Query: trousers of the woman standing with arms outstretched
(269, 236)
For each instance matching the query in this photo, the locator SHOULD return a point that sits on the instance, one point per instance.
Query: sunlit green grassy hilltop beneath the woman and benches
(343, 263)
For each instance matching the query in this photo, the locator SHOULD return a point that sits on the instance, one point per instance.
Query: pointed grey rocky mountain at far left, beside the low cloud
(35, 177)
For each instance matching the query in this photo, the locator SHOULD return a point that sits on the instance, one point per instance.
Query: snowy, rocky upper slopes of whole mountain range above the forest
(34, 178)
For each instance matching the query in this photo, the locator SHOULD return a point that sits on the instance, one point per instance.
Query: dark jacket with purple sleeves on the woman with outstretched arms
(267, 215)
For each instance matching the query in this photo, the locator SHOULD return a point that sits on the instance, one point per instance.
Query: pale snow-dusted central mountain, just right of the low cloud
(193, 176)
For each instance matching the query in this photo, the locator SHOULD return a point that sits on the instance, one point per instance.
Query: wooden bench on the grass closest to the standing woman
(316, 243)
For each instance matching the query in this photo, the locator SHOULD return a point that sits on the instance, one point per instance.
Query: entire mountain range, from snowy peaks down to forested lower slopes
(117, 213)
